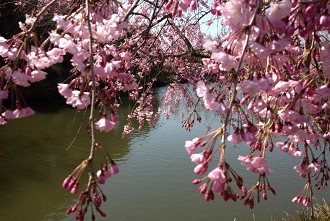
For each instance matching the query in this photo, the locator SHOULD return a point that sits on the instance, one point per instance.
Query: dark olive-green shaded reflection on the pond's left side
(36, 161)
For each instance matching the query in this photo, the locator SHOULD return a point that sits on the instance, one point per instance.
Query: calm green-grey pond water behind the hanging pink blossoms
(155, 176)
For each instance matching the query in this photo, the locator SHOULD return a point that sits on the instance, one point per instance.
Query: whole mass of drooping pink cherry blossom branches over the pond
(265, 76)
